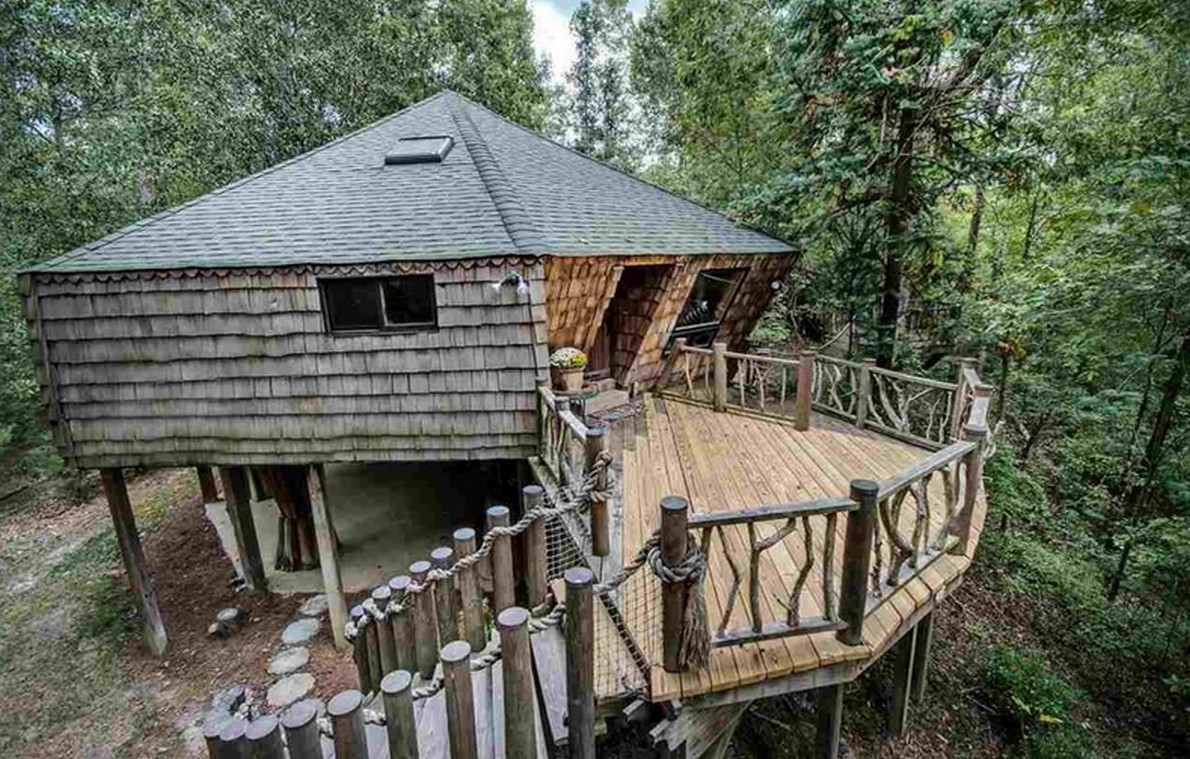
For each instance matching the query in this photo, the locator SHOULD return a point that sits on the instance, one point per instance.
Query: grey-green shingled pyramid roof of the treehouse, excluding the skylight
(502, 191)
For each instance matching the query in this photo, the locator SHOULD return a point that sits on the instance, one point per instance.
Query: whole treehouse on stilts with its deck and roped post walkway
(694, 529)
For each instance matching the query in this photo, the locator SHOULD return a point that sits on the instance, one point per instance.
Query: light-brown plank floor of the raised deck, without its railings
(734, 461)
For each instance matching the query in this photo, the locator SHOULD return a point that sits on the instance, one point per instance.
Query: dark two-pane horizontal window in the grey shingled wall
(378, 304)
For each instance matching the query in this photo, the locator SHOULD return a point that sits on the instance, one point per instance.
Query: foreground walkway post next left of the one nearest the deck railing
(521, 699)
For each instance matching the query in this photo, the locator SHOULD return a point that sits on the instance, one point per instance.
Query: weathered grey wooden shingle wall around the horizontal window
(237, 368)
